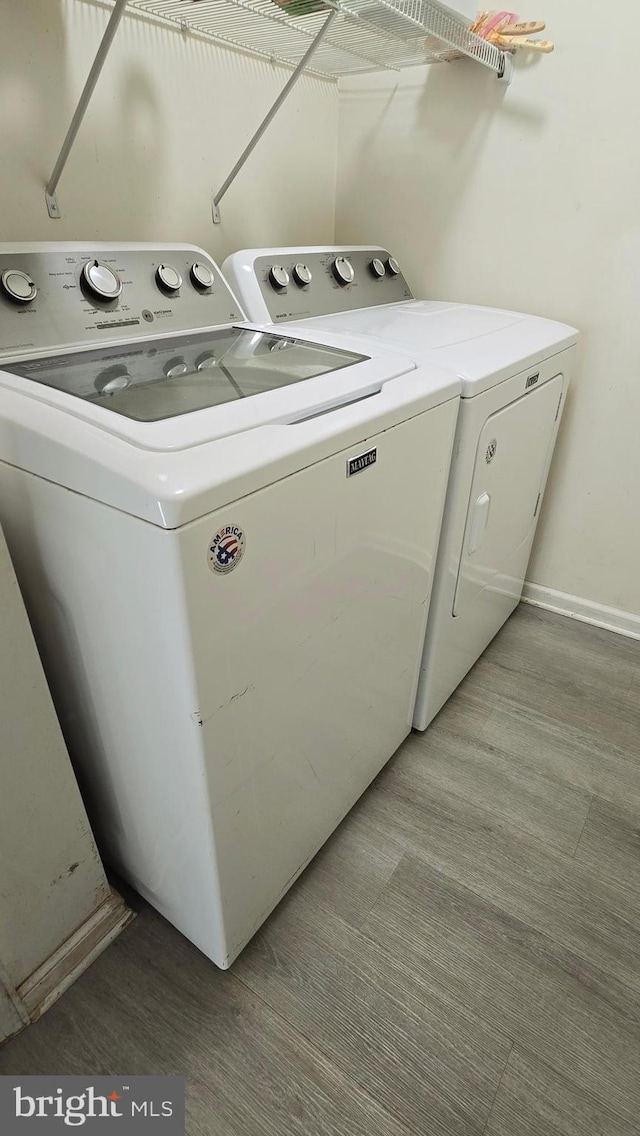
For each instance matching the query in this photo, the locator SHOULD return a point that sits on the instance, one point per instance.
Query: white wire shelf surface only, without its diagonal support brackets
(365, 36)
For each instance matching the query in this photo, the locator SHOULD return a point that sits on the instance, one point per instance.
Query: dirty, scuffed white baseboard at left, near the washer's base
(77, 954)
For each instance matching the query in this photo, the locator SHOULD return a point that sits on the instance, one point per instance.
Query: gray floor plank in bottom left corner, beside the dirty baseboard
(153, 1004)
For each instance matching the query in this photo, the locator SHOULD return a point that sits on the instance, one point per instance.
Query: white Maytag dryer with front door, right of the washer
(514, 372)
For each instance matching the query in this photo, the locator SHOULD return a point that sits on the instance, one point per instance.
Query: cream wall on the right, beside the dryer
(529, 198)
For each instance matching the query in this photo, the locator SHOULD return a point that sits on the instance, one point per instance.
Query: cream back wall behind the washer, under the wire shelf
(169, 120)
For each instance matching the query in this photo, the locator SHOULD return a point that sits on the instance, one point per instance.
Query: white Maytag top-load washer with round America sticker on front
(226, 541)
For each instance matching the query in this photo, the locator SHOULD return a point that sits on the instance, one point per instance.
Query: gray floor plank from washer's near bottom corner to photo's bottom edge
(429, 1060)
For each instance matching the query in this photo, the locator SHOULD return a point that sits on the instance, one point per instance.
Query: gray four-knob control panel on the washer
(62, 296)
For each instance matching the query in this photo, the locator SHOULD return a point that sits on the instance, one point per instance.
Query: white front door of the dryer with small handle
(512, 462)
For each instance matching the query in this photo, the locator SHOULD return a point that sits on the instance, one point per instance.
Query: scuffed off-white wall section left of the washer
(52, 879)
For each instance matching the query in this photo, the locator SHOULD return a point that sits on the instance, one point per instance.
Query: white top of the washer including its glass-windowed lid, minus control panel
(314, 400)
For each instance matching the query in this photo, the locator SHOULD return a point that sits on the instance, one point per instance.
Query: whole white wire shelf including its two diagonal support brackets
(328, 38)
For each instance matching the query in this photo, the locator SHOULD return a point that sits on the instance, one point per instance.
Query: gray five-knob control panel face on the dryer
(322, 282)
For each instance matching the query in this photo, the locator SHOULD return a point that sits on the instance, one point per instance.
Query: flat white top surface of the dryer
(483, 346)
